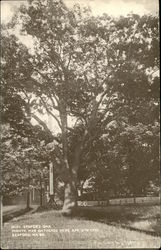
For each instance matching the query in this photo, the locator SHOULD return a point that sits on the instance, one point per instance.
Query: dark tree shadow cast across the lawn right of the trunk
(124, 218)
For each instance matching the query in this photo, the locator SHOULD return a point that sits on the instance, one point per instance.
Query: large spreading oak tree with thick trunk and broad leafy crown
(89, 68)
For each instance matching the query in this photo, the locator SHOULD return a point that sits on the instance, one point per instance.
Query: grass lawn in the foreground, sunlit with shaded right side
(88, 231)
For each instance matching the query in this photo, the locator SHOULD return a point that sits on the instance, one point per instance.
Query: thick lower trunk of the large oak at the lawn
(70, 199)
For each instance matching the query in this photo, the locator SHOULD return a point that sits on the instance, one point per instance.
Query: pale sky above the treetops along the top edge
(111, 7)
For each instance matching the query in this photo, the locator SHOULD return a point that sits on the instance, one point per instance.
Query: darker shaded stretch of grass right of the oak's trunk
(144, 218)
